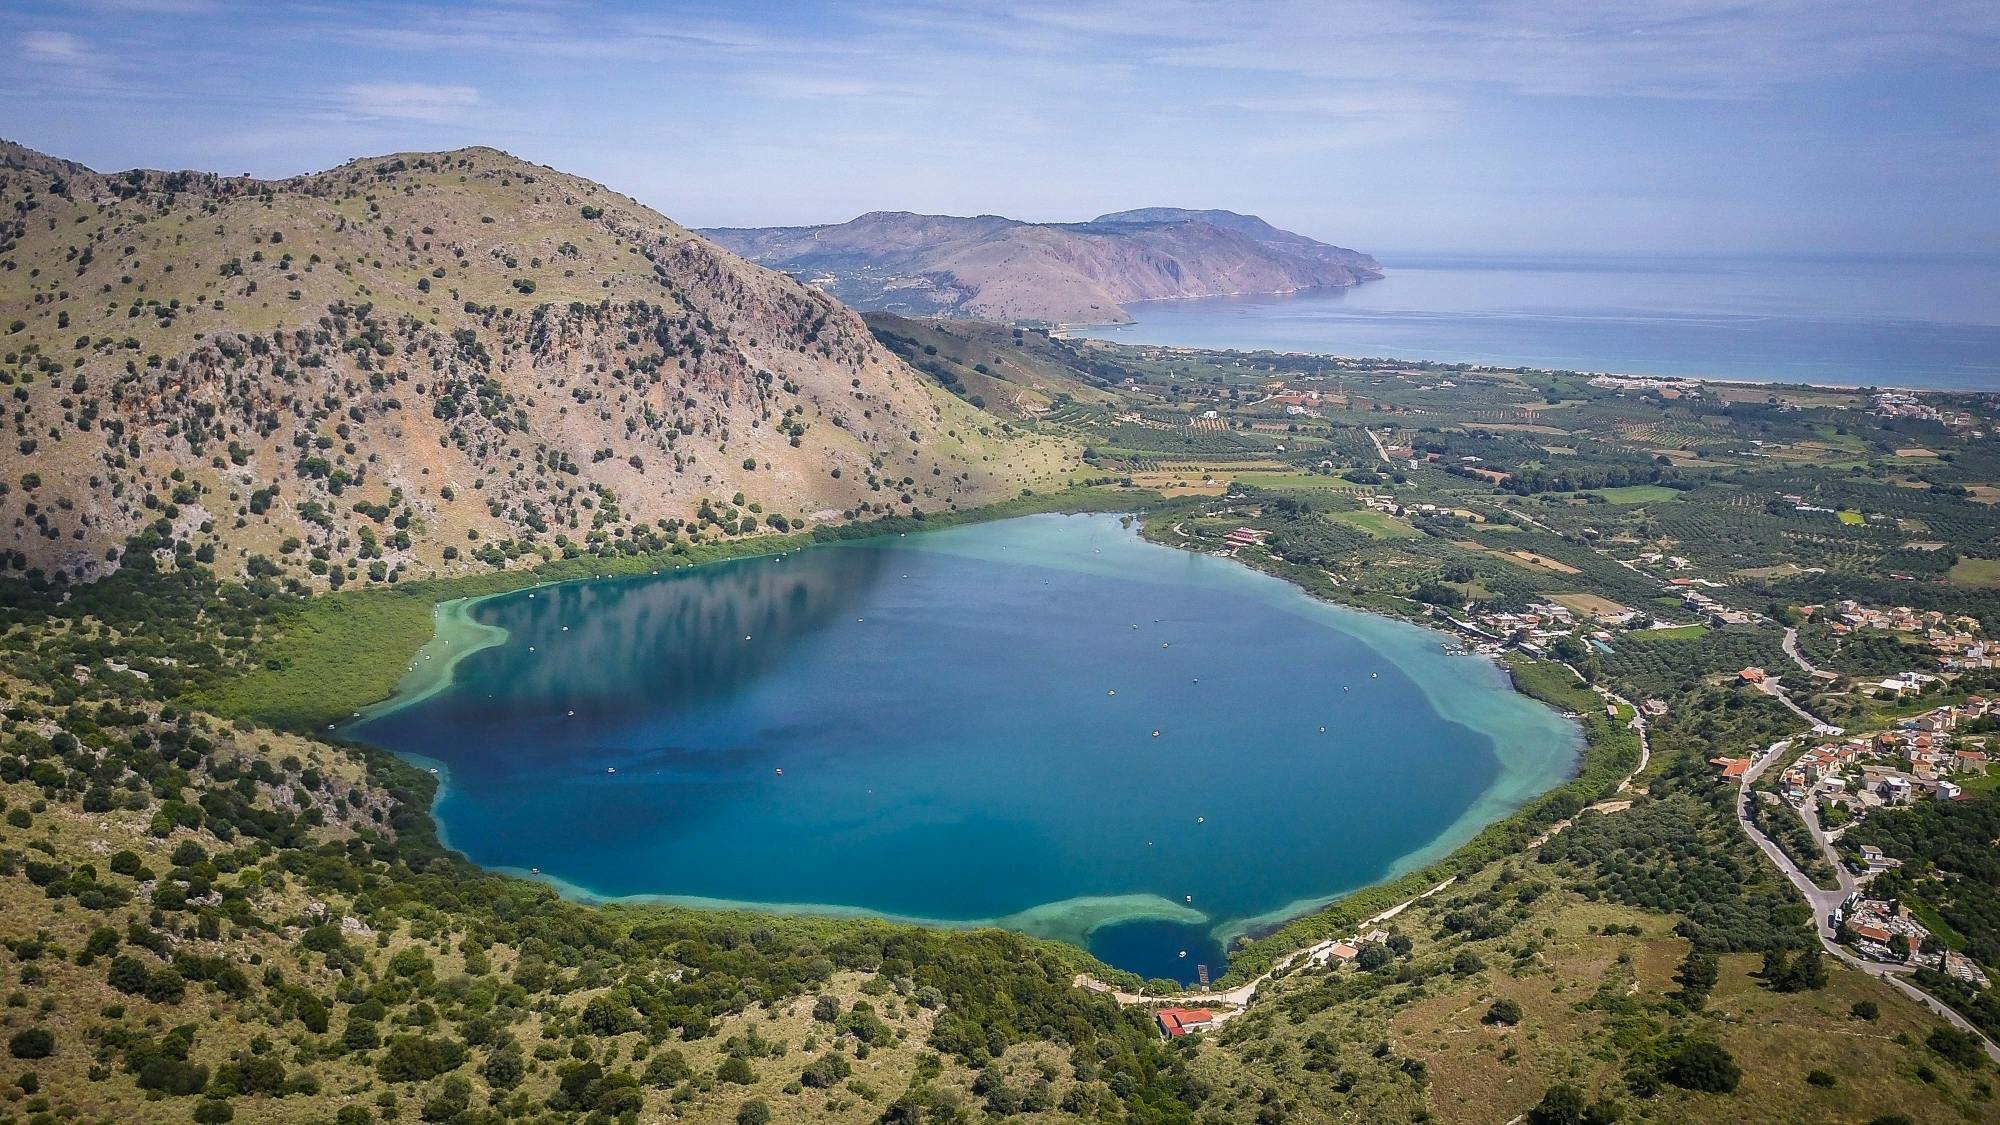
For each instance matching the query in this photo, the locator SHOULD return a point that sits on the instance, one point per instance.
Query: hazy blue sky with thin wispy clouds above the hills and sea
(1413, 125)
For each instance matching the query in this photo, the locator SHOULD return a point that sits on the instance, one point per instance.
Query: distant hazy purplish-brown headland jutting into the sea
(1071, 273)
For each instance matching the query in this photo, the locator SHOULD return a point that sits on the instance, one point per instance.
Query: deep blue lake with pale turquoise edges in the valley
(1045, 724)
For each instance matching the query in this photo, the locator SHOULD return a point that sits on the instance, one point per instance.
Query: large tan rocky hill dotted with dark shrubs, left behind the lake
(431, 363)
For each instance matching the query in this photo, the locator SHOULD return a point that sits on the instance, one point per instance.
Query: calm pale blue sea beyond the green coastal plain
(1835, 321)
